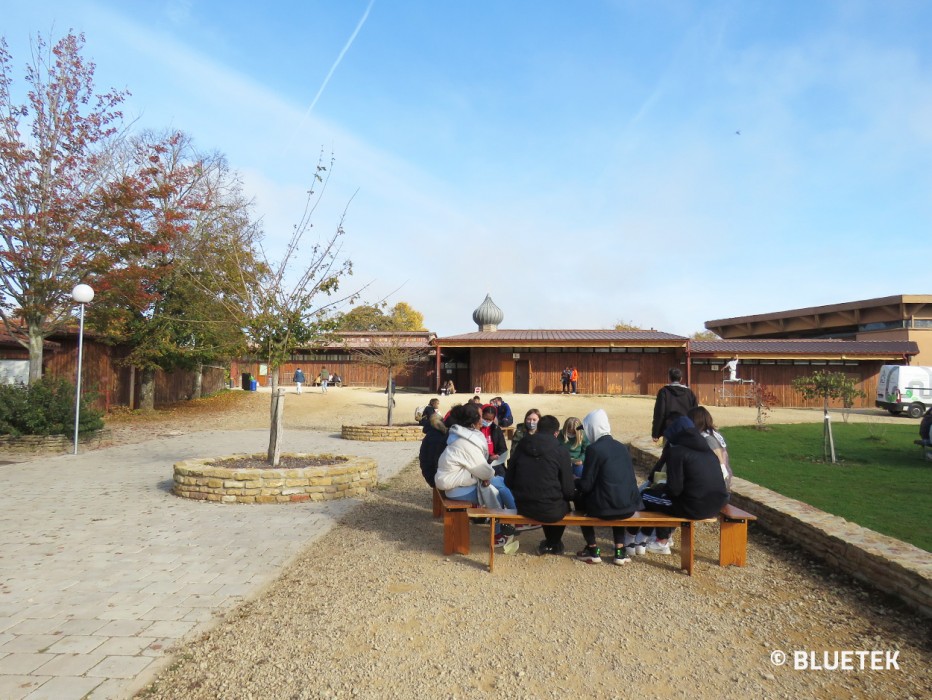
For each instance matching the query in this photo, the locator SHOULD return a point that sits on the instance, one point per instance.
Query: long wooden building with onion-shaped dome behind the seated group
(637, 362)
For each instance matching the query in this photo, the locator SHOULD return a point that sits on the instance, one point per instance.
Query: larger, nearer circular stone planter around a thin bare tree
(202, 480)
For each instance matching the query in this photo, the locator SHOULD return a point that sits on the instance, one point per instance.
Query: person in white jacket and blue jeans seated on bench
(465, 463)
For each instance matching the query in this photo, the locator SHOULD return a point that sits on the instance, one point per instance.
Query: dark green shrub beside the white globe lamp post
(44, 408)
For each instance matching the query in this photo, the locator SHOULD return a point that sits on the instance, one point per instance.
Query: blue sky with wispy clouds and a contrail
(578, 161)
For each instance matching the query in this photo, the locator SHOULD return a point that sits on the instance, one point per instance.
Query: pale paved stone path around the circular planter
(102, 570)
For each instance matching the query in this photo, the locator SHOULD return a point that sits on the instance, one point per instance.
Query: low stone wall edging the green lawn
(888, 564)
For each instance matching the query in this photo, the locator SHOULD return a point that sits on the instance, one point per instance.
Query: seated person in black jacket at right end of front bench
(694, 488)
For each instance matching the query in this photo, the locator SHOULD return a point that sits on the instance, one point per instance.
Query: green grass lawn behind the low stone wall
(880, 481)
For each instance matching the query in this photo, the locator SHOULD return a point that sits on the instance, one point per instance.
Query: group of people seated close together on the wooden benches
(553, 469)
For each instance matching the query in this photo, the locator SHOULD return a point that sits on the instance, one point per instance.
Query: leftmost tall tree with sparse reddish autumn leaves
(57, 205)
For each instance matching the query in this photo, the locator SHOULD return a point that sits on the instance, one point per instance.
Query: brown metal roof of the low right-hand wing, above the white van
(849, 348)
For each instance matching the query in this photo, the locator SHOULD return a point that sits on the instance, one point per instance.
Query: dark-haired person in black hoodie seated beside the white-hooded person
(540, 477)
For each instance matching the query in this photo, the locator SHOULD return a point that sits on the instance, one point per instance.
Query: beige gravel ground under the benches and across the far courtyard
(374, 610)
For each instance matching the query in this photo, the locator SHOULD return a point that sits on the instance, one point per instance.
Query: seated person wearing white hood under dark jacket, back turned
(608, 487)
